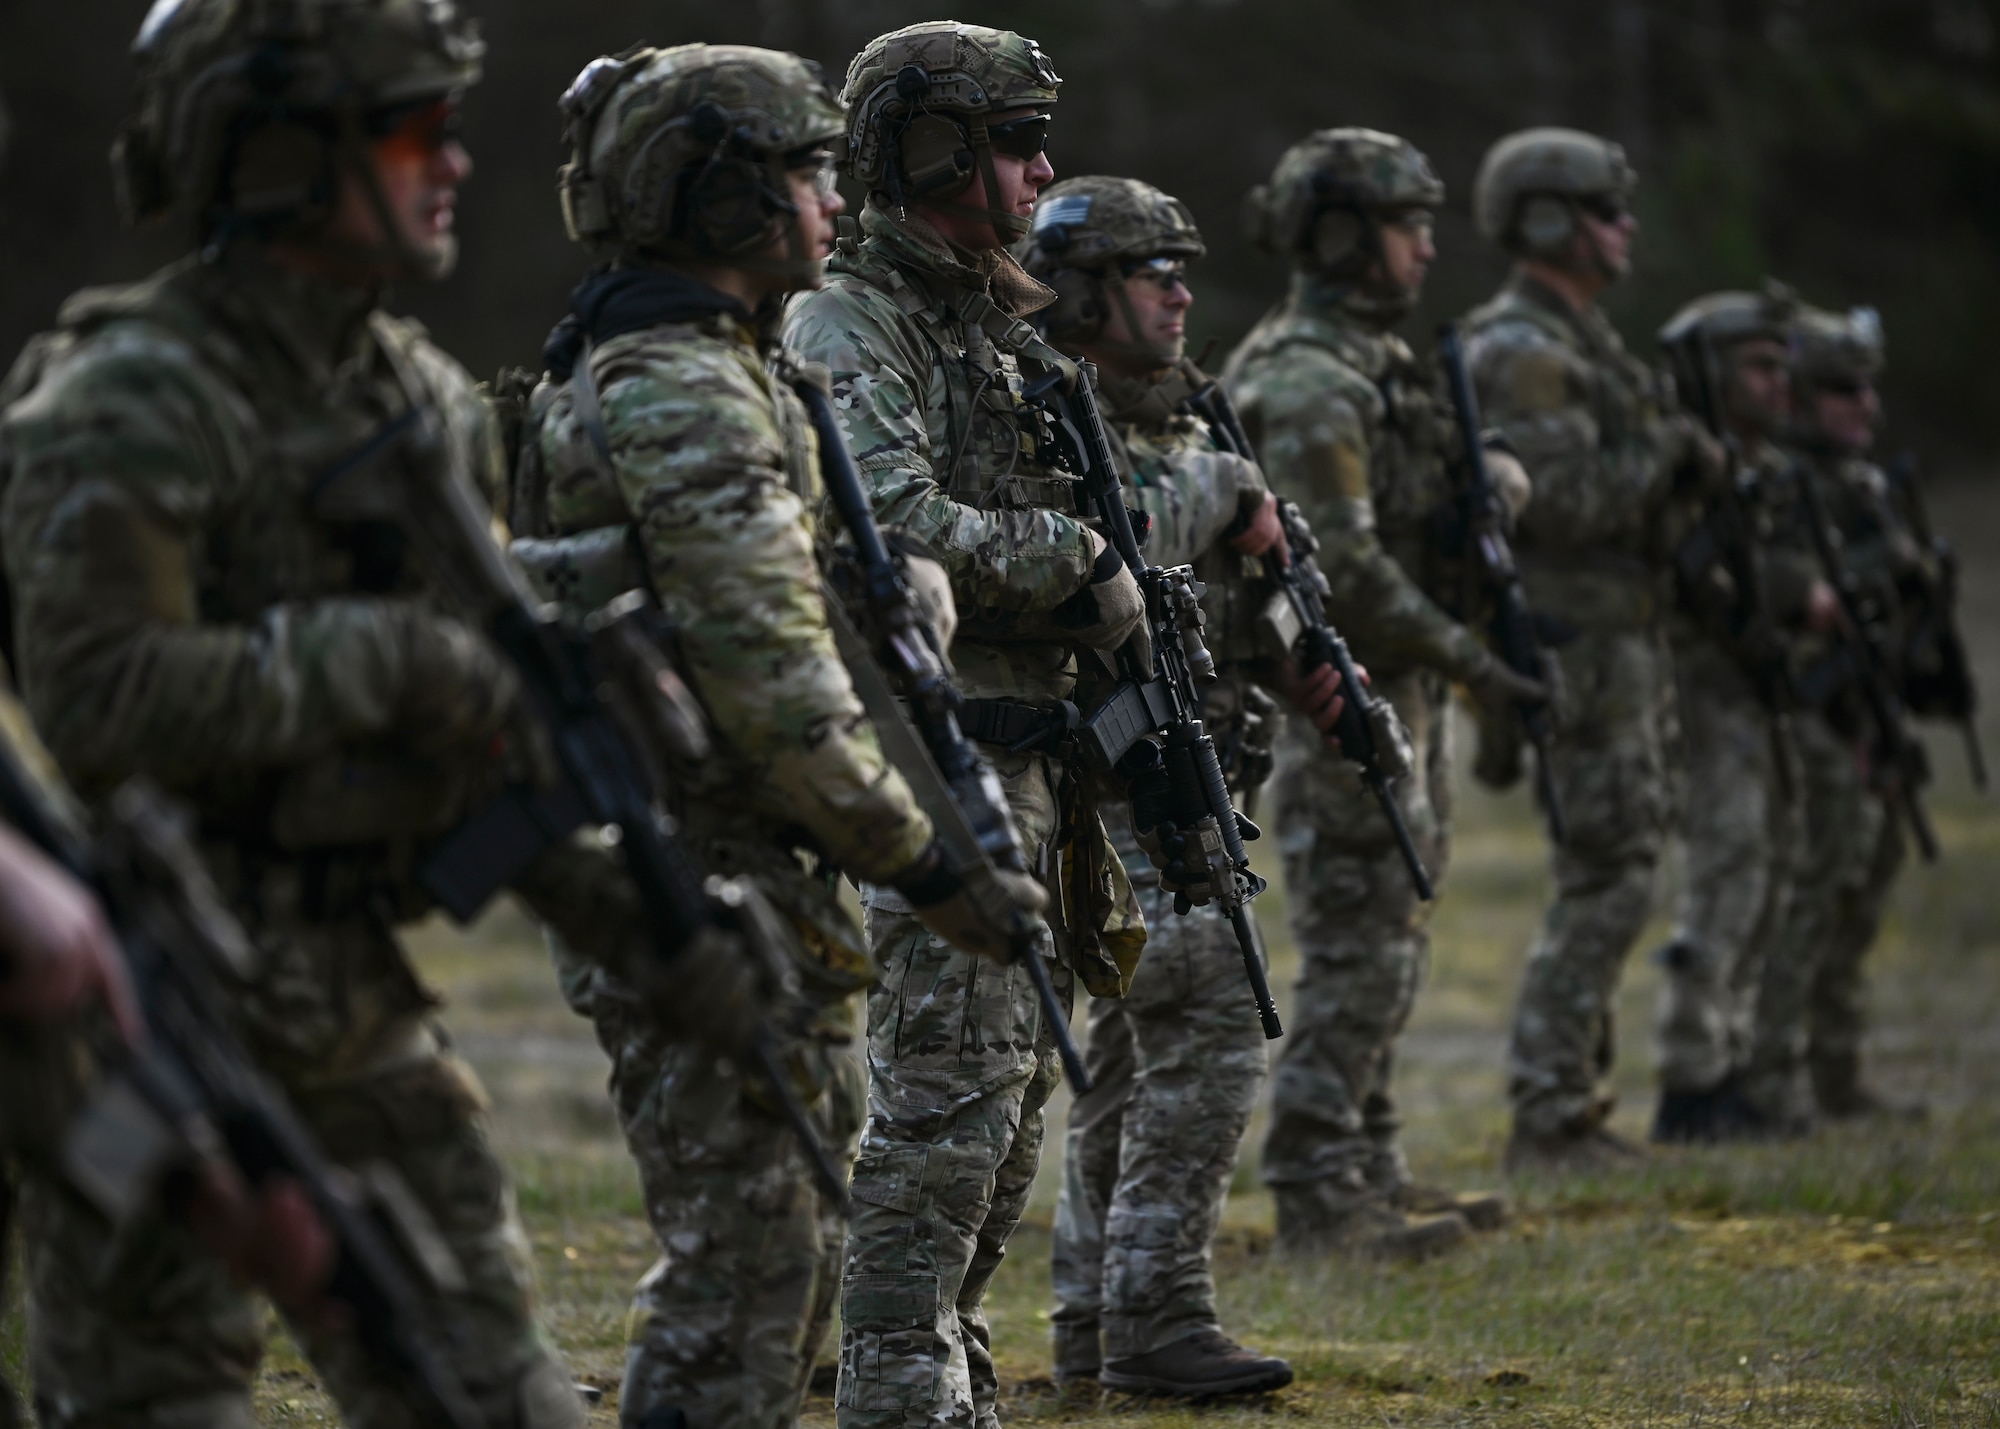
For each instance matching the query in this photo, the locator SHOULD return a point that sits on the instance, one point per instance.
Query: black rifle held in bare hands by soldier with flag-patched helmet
(1365, 724)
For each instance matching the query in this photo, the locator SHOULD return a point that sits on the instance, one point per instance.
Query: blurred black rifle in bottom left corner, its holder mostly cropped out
(189, 1094)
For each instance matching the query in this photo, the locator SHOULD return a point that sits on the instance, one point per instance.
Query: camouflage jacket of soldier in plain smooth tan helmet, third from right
(1585, 417)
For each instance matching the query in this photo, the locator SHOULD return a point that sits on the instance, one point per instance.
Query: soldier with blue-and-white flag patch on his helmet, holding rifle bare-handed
(1177, 1062)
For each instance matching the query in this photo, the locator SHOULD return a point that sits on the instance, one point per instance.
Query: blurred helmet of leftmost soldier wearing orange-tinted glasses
(251, 109)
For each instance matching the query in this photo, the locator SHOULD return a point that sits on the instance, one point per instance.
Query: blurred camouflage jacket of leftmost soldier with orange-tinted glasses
(199, 591)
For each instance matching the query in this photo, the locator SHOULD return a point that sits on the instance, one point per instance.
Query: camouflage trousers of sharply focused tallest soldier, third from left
(961, 1070)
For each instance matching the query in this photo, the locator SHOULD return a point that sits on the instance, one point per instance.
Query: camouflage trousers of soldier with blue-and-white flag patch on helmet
(1175, 1070)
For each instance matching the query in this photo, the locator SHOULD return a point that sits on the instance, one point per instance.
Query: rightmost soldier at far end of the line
(1805, 1058)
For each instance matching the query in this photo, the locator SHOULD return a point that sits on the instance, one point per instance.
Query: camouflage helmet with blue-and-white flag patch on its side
(1093, 233)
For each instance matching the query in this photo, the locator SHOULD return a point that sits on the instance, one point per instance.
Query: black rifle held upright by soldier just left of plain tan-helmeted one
(1511, 629)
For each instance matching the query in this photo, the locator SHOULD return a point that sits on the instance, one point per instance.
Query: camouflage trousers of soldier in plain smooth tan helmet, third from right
(1611, 776)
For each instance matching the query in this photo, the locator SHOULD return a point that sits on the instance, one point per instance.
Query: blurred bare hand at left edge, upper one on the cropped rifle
(57, 952)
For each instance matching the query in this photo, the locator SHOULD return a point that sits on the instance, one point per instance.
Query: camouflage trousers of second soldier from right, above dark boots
(1739, 836)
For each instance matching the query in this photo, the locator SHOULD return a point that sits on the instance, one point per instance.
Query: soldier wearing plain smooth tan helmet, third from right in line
(1585, 417)
